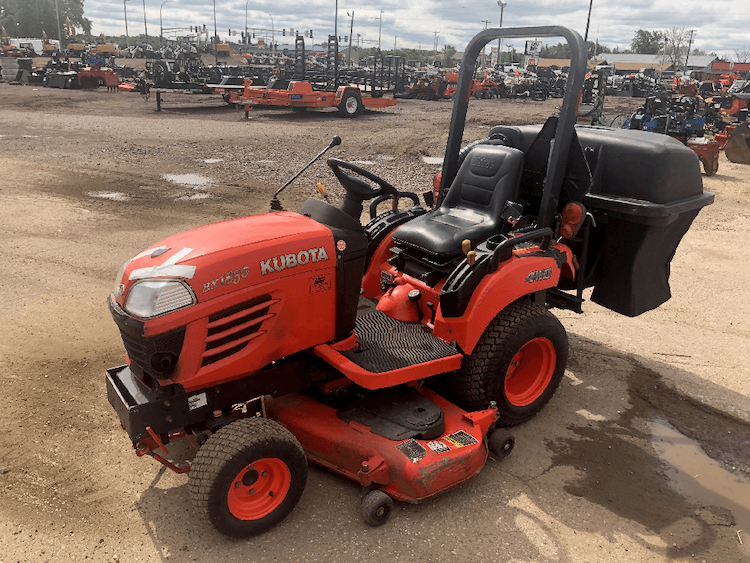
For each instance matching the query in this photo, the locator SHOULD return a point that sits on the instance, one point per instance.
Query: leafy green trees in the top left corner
(27, 18)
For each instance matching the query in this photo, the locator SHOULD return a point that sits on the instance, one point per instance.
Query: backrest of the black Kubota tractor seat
(488, 178)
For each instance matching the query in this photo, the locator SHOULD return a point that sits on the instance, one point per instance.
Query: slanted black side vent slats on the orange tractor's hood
(230, 330)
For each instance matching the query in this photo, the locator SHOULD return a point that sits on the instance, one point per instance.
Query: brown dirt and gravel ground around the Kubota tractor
(84, 187)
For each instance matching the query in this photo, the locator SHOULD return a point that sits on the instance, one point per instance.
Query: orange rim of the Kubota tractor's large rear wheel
(530, 372)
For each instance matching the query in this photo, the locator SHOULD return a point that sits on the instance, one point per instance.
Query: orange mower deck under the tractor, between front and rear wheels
(408, 470)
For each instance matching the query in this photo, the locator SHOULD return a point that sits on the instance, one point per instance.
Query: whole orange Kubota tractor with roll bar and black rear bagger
(396, 352)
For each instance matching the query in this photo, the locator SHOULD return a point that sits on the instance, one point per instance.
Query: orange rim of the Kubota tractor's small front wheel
(259, 489)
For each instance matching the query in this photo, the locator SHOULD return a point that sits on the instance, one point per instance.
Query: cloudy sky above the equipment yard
(722, 26)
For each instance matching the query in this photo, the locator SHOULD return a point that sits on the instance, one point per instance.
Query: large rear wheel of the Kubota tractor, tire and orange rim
(518, 363)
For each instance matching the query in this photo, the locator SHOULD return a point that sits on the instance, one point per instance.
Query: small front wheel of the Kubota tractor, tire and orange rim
(248, 477)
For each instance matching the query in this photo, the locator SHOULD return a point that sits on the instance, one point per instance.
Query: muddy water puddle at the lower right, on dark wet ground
(701, 479)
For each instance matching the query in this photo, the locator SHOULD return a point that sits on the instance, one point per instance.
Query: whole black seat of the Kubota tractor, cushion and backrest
(489, 177)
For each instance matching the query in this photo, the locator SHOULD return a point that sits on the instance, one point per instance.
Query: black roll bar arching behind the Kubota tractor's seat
(565, 127)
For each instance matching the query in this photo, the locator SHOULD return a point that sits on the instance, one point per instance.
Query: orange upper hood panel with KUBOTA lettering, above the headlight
(223, 257)
